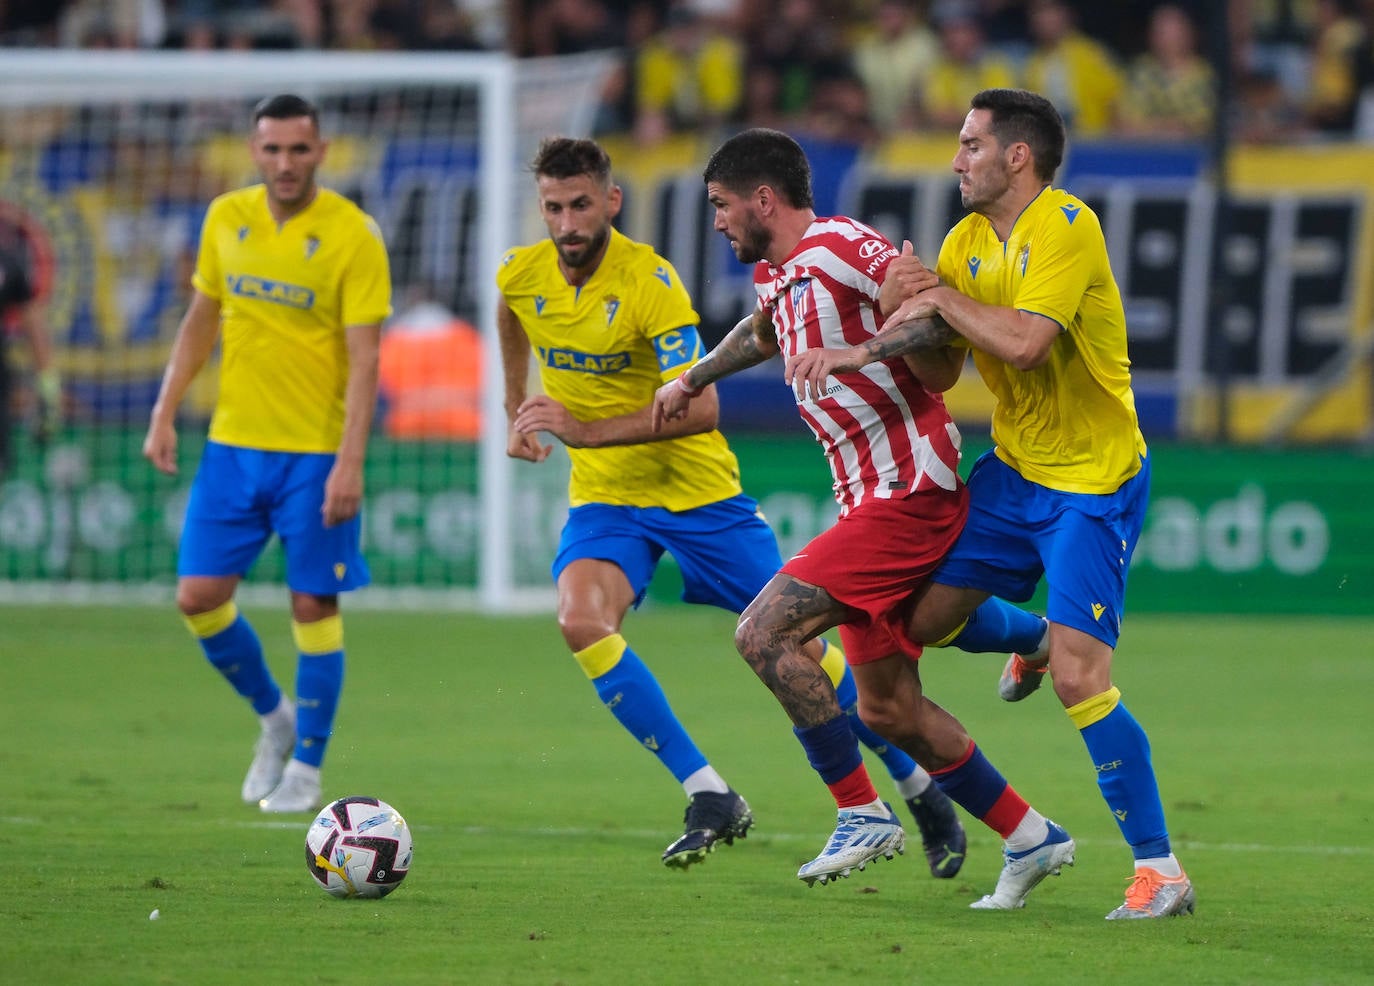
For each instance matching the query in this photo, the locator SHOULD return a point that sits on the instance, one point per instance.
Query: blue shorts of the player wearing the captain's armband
(726, 550)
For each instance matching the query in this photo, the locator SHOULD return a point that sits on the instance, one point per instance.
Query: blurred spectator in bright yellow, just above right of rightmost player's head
(1072, 71)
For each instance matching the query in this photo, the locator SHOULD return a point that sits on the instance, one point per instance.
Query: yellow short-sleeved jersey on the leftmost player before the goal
(288, 292)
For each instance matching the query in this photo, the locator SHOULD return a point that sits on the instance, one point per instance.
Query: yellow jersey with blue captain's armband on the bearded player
(604, 349)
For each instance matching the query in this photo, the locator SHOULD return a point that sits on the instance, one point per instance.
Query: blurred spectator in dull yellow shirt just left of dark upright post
(1170, 89)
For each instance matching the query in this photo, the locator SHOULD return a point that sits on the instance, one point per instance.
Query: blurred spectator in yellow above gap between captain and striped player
(689, 76)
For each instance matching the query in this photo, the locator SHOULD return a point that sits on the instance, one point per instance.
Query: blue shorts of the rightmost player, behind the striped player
(1082, 543)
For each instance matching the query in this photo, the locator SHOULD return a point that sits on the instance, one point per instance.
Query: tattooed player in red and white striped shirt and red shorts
(894, 454)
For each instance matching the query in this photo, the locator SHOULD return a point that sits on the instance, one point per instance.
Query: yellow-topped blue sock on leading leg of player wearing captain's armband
(635, 698)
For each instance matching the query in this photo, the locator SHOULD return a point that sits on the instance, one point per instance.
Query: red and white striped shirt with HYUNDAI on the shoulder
(884, 435)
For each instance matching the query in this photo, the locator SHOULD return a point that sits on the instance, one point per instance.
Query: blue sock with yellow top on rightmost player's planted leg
(1120, 753)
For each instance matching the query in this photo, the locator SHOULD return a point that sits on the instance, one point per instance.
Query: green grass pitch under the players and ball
(538, 823)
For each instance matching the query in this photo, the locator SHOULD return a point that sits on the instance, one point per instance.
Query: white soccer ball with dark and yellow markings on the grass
(358, 848)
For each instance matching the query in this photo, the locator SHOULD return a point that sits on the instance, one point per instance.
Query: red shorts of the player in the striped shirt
(875, 558)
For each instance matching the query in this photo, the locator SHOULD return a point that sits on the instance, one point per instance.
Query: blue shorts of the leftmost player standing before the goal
(244, 496)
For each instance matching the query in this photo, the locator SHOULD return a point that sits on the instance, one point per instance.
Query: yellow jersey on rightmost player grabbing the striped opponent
(1070, 424)
